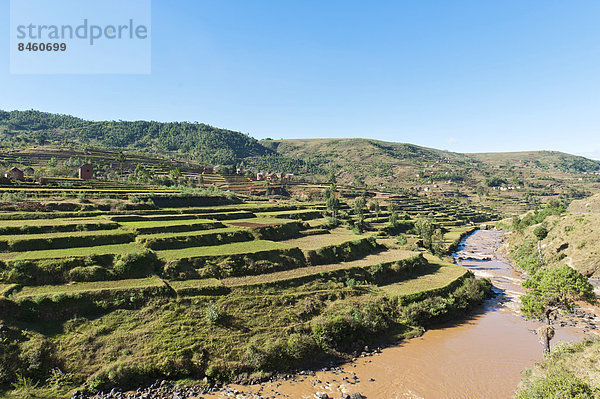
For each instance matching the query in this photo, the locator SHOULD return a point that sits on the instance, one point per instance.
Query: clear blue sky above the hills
(466, 76)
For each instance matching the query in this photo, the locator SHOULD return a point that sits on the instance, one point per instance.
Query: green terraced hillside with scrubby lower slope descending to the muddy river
(195, 289)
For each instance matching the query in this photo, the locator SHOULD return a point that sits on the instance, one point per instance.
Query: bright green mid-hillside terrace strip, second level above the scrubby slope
(227, 249)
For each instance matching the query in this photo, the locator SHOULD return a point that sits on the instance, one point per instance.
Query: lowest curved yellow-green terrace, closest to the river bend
(441, 276)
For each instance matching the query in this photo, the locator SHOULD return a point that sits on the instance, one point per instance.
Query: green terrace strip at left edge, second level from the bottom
(116, 249)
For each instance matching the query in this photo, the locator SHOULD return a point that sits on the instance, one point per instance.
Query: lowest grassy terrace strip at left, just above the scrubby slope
(74, 288)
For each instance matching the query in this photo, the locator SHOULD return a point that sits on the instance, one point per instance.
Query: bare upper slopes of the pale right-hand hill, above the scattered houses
(409, 165)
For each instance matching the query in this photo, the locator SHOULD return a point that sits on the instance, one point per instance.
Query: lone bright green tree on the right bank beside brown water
(552, 290)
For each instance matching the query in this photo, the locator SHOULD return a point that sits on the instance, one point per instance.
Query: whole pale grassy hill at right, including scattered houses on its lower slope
(517, 178)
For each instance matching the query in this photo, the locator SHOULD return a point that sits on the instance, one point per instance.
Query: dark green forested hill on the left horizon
(194, 141)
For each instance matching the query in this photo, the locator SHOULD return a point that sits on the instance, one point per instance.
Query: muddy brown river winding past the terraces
(480, 357)
